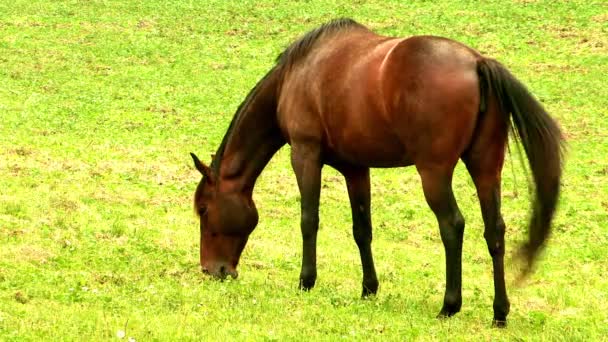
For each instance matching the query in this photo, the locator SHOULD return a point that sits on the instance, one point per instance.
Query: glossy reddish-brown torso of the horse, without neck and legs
(383, 102)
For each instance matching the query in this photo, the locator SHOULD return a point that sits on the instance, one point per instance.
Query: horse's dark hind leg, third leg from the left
(437, 185)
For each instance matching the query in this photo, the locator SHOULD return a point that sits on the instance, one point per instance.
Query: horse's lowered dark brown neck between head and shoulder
(253, 140)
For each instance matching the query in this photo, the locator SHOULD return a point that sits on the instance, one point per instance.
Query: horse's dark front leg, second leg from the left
(357, 182)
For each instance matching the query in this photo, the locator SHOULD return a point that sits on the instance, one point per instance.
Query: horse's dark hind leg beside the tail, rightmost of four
(489, 199)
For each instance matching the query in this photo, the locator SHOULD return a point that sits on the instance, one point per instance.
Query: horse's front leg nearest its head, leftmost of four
(305, 160)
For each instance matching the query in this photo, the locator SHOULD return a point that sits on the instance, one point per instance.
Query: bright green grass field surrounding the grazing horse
(101, 102)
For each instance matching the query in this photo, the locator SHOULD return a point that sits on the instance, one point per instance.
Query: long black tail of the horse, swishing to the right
(543, 144)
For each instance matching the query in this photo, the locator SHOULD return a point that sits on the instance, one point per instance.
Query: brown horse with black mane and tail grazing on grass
(346, 97)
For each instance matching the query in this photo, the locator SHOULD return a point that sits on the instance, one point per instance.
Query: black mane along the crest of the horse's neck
(295, 52)
